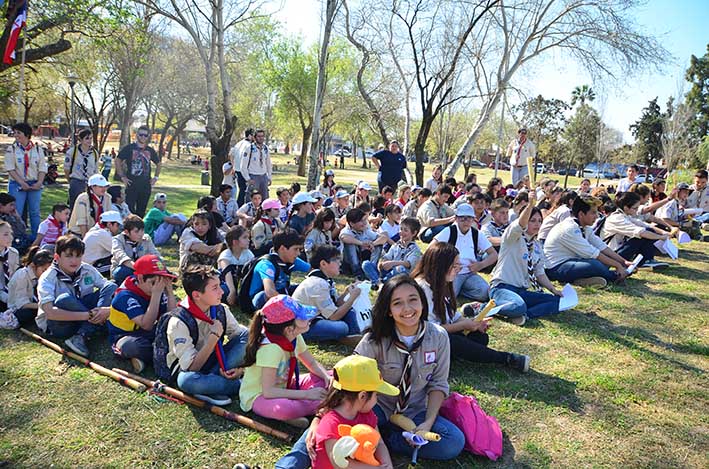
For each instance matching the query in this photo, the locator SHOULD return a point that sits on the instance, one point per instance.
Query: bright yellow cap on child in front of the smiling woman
(357, 373)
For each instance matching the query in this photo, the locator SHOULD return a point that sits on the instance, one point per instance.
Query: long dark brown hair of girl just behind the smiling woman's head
(433, 268)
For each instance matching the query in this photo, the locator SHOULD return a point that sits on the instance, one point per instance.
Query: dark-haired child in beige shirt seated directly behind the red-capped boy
(129, 246)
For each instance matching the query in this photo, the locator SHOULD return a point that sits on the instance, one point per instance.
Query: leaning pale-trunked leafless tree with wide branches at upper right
(600, 34)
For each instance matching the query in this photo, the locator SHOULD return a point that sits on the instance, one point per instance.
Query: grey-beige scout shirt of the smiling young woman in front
(431, 365)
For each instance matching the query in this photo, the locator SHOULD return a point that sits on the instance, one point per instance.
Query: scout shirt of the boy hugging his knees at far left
(55, 282)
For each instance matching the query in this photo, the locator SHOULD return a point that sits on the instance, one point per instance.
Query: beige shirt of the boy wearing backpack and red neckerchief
(180, 342)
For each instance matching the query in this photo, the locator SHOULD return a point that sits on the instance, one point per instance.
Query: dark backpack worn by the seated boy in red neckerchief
(161, 347)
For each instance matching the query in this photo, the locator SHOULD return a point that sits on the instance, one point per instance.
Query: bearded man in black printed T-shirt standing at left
(133, 169)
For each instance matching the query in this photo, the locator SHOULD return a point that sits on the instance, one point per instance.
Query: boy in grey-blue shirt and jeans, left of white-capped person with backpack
(401, 258)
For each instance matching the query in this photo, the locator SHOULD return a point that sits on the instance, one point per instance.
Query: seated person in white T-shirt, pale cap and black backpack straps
(471, 245)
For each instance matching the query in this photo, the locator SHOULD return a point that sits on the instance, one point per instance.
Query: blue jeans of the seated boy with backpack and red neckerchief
(208, 381)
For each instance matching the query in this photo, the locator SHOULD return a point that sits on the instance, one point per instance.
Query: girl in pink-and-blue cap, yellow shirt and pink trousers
(272, 386)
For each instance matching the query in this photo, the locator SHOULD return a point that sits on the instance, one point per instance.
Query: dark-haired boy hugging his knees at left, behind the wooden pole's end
(74, 299)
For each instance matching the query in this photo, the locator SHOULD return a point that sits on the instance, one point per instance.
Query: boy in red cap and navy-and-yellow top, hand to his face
(142, 298)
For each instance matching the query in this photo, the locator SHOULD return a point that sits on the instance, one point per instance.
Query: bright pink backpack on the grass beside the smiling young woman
(482, 432)
